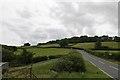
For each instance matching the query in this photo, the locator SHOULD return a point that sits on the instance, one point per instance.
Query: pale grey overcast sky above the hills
(44, 20)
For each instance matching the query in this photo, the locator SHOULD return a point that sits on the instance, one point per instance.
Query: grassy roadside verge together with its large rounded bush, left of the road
(46, 69)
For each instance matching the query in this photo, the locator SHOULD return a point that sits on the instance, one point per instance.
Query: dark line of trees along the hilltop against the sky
(85, 38)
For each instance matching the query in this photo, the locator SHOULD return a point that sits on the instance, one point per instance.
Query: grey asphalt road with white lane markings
(107, 67)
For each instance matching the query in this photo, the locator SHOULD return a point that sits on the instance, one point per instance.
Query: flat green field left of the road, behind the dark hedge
(45, 51)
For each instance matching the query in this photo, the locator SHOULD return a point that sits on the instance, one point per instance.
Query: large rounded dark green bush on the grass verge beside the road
(73, 62)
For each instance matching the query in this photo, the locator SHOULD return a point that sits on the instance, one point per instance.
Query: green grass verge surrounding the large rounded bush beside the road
(43, 71)
